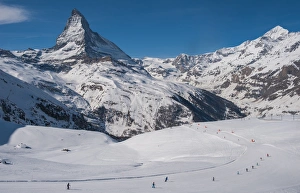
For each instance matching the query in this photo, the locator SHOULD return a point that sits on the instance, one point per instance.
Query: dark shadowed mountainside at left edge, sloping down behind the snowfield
(25, 104)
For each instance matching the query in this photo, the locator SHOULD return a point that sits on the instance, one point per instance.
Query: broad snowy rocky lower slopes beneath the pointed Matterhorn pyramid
(122, 100)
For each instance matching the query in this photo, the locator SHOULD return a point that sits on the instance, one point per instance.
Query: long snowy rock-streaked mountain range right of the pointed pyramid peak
(261, 76)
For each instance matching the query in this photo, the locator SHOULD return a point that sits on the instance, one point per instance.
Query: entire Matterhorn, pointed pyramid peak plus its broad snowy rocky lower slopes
(91, 75)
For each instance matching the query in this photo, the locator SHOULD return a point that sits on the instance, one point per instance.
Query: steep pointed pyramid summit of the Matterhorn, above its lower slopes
(79, 39)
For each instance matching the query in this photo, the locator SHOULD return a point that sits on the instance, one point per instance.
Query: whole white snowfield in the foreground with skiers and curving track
(190, 155)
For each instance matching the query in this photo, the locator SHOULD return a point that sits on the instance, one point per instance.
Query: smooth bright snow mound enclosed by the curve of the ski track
(194, 145)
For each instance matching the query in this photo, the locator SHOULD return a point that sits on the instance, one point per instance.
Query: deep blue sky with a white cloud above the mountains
(154, 28)
